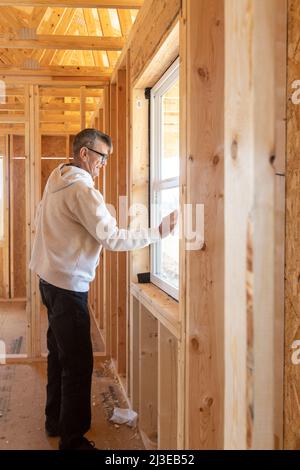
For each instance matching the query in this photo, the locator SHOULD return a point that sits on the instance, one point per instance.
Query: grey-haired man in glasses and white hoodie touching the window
(72, 226)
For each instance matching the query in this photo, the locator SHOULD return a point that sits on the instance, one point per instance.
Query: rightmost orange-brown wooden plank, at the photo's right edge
(292, 242)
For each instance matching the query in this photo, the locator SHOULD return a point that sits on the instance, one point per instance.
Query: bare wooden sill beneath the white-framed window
(160, 305)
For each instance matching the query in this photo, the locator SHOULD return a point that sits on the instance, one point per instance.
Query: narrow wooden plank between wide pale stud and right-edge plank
(279, 164)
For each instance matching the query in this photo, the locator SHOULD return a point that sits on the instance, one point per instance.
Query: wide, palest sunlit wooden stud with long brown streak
(250, 246)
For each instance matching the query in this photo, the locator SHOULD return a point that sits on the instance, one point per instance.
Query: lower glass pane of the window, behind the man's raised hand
(167, 252)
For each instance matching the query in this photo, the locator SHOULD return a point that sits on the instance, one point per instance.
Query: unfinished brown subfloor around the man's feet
(22, 410)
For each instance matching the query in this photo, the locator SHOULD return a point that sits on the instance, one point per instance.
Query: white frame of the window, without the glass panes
(157, 184)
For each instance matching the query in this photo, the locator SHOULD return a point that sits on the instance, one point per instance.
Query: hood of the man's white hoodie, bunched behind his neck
(65, 175)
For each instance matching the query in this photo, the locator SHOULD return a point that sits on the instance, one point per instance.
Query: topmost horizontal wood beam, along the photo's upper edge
(76, 3)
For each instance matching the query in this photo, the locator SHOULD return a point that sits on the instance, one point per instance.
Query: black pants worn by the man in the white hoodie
(70, 362)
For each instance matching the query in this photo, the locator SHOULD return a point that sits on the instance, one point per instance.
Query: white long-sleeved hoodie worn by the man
(72, 225)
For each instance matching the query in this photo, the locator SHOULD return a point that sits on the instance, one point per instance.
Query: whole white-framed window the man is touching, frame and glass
(165, 177)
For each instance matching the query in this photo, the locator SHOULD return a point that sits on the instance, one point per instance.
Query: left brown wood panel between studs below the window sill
(148, 375)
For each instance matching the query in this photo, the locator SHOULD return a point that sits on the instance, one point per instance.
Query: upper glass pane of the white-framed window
(170, 133)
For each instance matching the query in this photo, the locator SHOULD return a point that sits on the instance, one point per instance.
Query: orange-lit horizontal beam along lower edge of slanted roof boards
(57, 71)
